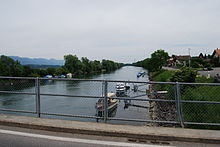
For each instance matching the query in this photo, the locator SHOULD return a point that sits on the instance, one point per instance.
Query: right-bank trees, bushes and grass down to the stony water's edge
(192, 112)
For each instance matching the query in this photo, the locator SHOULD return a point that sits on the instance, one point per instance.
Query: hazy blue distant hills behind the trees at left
(37, 61)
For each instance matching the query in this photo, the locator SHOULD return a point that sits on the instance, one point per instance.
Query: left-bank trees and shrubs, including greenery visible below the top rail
(79, 68)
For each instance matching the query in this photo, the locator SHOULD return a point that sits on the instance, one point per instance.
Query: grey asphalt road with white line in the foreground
(20, 137)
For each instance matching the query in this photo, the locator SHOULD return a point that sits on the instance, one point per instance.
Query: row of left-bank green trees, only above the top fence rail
(9, 67)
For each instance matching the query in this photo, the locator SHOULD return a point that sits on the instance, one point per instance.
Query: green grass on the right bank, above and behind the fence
(194, 112)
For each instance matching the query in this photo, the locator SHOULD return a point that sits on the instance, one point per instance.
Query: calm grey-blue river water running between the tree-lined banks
(81, 106)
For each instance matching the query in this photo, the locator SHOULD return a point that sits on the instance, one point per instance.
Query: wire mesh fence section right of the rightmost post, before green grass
(201, 105)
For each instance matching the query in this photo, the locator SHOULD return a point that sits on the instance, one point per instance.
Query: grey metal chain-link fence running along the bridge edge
(126, 102)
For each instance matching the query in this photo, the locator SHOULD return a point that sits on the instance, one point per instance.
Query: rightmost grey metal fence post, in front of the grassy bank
(178, 105)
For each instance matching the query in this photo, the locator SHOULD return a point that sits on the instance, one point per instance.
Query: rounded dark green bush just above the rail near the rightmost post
(185, 74)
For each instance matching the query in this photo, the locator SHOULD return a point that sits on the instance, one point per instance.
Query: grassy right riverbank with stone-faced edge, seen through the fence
(194, 110)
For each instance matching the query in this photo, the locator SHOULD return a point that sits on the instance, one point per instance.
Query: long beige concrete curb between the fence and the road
(101, 129)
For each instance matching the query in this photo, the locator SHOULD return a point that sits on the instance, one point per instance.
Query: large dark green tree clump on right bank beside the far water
(155, 62)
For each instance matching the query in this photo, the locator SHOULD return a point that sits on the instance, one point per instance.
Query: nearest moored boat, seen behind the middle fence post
(112, 104)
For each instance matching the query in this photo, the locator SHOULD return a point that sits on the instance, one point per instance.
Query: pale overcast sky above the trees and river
(120, 30)
